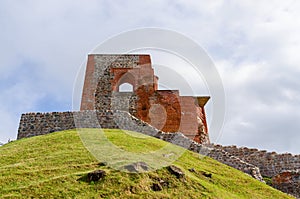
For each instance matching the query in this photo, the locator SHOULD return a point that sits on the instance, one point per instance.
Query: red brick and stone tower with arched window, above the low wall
(166, 110)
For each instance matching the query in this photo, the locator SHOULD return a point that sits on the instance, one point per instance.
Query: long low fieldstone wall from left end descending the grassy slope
(34, 124)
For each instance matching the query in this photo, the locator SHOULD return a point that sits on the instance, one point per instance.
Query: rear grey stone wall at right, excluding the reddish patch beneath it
(269, 163)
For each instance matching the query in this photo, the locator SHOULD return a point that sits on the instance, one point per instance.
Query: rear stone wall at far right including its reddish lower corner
(283, 169)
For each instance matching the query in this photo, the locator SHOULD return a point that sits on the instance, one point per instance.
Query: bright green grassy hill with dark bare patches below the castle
(56, 166)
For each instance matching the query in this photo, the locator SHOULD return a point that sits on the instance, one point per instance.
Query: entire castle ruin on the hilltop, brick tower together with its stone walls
(151, 111)
